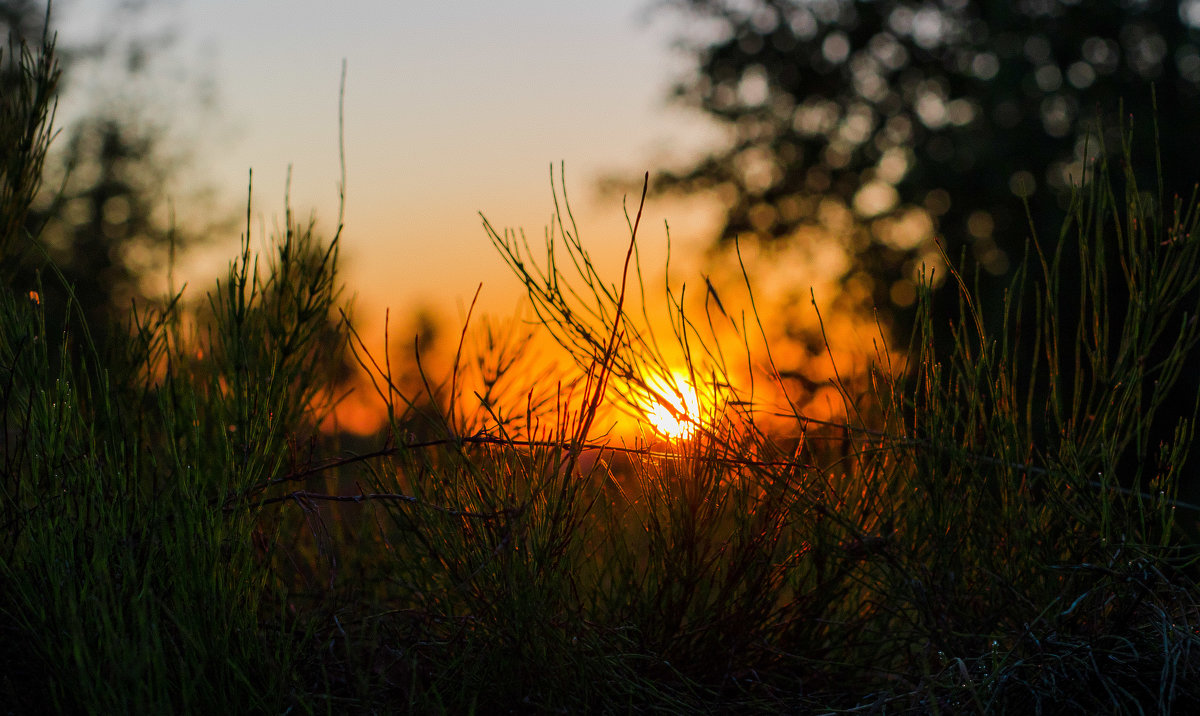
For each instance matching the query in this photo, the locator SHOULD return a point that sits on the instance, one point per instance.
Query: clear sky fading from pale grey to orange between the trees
(452, 109)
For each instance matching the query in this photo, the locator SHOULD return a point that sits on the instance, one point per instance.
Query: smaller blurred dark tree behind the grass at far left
(103, 216)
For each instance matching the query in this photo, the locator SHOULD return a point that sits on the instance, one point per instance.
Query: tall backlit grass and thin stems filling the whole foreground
(993, 527)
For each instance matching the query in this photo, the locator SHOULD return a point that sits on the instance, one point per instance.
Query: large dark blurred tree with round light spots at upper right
(959, 107)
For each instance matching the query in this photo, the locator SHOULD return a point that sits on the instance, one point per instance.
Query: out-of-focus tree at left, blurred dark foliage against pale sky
(104, 216)
